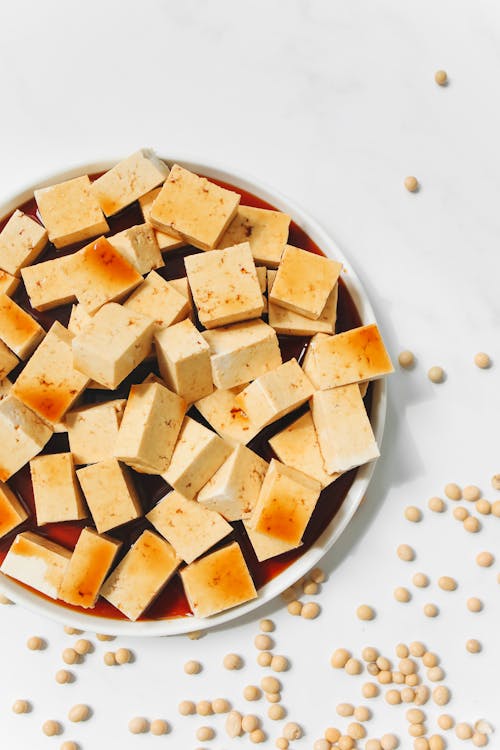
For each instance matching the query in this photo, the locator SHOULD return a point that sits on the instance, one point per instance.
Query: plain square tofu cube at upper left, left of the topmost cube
(70, 212)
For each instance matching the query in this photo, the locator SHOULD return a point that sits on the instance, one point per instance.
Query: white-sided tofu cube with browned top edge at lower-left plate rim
(37, 562)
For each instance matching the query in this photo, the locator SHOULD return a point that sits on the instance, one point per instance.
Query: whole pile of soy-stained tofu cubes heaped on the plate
(211, 340)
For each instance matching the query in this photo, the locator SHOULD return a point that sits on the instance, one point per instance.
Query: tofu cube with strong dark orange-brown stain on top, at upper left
(101, 274)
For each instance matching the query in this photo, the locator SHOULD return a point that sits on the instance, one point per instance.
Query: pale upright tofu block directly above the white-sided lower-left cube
(55, 489)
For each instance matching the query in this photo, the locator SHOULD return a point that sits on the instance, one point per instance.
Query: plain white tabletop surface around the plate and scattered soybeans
(333, 103)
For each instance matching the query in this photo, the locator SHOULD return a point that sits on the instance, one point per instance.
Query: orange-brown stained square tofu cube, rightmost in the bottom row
(219, 581)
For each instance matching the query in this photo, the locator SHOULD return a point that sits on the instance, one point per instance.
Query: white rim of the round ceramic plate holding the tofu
(353, 498)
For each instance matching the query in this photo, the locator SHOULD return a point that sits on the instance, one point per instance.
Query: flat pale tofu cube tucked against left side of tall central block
(93, 431)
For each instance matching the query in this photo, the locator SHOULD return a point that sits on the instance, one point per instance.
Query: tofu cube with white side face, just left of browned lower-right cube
(234, 488)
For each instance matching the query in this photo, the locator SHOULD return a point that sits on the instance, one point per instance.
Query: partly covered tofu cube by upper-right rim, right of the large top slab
(266, 231)
